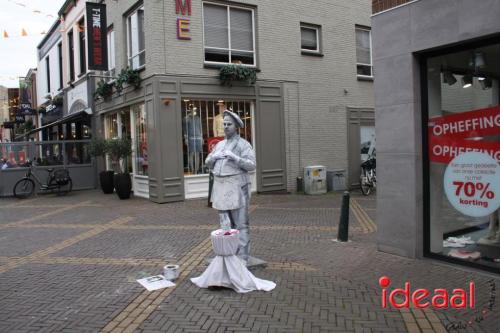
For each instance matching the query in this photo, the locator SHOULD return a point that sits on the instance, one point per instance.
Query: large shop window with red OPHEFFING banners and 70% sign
(464, 151)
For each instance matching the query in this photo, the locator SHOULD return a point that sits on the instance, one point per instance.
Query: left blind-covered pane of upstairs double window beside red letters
(215, 26)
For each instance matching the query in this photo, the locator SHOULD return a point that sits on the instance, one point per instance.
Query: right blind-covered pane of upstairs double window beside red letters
(241, 29)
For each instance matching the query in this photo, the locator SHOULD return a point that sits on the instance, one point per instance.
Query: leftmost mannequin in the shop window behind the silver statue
(194, 140)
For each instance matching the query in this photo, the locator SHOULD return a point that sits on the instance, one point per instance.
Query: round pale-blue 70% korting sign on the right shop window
(472, 184)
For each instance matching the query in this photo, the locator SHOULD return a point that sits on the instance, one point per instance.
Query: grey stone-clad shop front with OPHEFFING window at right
(438, 131)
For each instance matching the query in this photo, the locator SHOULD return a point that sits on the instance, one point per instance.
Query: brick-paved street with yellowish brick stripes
(69, 264)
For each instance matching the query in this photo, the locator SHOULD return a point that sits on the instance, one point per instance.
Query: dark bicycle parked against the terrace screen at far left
(58, 181)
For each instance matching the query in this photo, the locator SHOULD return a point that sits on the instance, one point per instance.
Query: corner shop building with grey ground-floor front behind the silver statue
(310, 84)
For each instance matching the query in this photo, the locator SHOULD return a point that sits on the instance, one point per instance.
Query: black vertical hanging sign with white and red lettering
(97, 39)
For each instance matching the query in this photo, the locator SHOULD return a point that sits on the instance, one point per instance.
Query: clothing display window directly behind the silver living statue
(202, 128)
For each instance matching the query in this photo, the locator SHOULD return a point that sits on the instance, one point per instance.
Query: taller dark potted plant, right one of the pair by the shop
(121, 149)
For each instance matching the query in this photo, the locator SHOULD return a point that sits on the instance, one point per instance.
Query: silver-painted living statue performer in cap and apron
(230, 162)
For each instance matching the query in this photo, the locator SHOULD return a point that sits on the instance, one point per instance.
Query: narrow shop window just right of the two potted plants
(140, 141)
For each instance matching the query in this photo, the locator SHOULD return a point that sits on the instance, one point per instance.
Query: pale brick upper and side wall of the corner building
(318, 89)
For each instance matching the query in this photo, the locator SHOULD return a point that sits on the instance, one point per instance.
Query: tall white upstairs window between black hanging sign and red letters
(135, 39)
